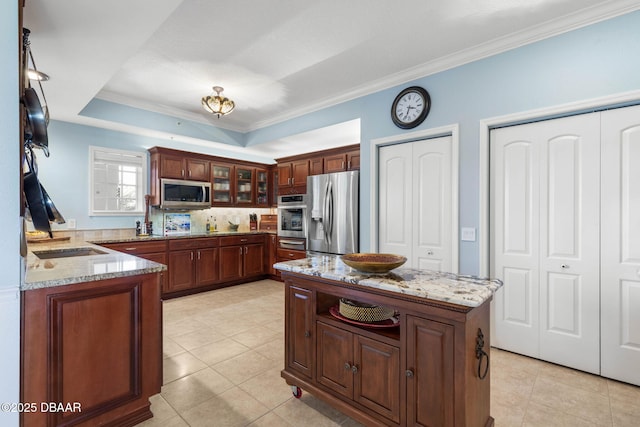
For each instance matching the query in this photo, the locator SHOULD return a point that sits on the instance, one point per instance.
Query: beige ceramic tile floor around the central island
(223, 352)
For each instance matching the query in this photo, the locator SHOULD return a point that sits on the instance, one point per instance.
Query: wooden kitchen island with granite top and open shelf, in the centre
(427, 365)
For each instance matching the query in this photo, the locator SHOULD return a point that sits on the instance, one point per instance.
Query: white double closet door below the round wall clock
(415, 203)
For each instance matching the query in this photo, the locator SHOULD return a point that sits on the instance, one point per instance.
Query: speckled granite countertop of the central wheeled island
(462, 290)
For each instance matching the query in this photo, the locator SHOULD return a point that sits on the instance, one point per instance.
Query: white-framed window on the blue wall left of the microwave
(117, 181)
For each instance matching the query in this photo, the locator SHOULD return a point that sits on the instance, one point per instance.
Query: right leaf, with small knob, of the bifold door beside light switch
(569, 257)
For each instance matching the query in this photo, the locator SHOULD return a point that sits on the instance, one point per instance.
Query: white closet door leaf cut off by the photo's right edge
(620, 283)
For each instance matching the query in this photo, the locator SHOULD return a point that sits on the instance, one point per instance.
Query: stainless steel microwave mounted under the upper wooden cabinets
(183, 194)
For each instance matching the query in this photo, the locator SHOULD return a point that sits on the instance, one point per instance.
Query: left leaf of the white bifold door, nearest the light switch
(514, 219)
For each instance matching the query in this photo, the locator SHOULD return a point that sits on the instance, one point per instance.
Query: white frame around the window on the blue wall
(135, 159)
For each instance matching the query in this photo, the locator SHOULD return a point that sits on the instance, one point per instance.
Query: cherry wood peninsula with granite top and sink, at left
(91, 348)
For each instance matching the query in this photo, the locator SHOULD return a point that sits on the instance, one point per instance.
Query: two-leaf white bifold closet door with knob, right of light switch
(545, 243)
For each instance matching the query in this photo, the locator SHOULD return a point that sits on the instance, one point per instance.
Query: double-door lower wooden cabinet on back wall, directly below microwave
(193, 263)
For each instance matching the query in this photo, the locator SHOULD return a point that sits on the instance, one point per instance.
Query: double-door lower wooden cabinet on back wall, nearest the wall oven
(241, 257)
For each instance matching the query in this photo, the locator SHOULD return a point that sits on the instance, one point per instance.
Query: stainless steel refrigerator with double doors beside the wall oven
(332, 213)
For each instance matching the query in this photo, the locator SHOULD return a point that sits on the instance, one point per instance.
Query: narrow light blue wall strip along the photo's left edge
(10, 260)
